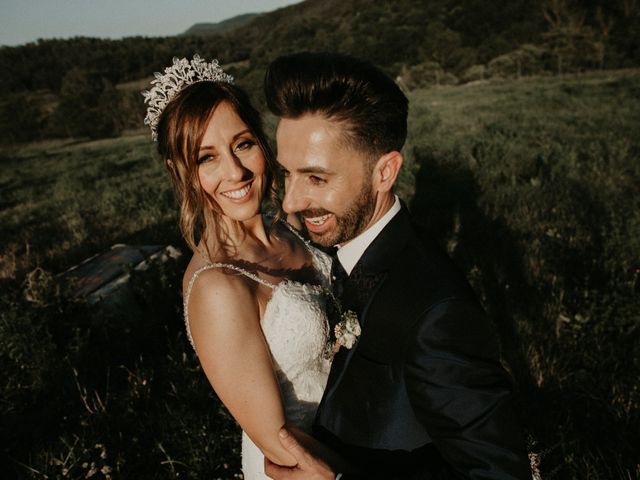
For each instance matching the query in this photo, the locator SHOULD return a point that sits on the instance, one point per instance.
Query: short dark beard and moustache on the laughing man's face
(348, 224)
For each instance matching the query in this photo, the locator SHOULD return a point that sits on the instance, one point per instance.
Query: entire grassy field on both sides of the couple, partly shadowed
(531, 185)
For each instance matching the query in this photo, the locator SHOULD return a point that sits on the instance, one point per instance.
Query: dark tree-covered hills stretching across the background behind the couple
(74, 87)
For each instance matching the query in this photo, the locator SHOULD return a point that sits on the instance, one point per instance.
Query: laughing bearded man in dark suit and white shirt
(421, 395)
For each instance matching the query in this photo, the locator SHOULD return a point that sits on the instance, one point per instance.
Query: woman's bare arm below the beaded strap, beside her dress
(224, 320)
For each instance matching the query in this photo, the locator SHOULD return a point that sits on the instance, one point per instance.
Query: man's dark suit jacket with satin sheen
(422, 395)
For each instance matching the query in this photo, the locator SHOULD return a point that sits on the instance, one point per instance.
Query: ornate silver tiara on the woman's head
(167, 85)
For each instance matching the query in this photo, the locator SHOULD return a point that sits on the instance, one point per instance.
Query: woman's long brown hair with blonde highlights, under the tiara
(181, 128)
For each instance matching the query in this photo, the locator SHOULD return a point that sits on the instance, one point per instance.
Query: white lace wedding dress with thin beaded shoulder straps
(296, 329)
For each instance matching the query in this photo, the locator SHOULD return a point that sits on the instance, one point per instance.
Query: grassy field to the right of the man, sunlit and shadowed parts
(533, 188)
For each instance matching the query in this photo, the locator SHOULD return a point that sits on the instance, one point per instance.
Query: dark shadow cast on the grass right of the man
(562, 405)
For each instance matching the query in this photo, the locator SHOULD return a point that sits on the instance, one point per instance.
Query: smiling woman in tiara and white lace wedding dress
(255, 296)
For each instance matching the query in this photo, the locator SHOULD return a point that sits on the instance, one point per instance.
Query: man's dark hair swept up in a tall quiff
(341, 88)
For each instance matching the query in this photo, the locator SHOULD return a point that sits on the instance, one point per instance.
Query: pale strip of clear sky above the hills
(23, 21)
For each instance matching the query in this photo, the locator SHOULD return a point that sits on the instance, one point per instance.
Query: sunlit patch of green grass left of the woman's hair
(62, 201)
